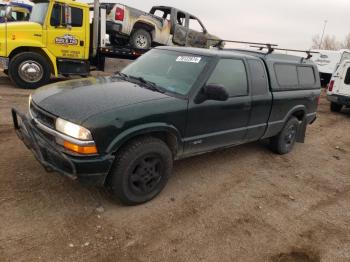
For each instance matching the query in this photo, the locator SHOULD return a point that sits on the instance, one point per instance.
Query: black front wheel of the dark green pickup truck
(141, 171)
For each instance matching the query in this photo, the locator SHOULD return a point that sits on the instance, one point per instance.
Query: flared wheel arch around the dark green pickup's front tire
(145, 129)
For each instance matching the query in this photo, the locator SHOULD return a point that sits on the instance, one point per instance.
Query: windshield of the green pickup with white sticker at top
(174, 72)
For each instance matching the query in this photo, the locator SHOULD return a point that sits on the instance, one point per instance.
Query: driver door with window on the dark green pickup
(216, 124)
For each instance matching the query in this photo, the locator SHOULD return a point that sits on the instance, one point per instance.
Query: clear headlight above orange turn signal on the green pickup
(72, 130)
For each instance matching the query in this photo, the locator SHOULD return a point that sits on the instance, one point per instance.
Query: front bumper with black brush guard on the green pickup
(91, 171)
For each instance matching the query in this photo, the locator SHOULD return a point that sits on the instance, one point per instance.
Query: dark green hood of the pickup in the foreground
(77, 100)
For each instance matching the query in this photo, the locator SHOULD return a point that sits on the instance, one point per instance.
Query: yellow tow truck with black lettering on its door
(60, 38)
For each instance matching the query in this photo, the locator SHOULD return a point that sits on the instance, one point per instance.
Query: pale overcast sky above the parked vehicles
(290, 24)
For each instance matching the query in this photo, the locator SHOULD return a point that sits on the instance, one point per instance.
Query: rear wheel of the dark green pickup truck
(284, 142)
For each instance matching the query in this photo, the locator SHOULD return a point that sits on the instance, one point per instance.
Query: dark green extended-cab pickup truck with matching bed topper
(124, 131)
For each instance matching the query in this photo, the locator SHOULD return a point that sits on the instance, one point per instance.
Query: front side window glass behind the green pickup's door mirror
(232, 74)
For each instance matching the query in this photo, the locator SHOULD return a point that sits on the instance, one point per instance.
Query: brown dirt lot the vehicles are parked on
(242, 204)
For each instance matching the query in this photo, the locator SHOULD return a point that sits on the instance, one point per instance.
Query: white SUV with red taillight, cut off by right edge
(338, 92)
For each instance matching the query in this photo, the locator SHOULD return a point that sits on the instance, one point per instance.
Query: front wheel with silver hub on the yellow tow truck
(29, 70)
